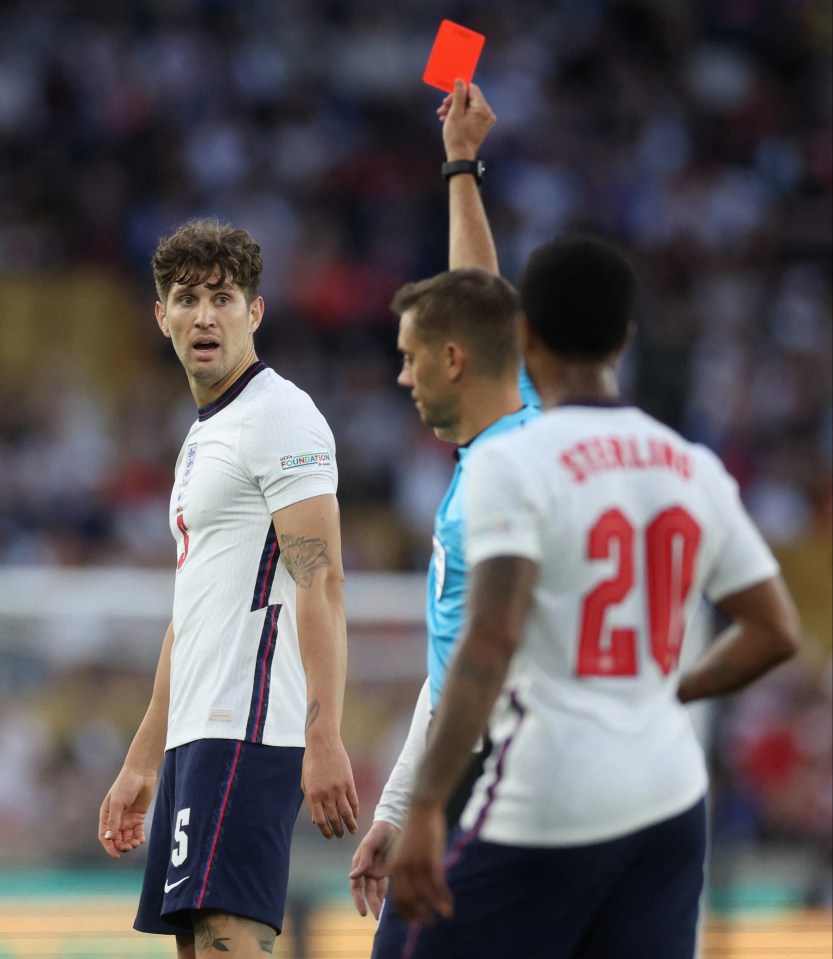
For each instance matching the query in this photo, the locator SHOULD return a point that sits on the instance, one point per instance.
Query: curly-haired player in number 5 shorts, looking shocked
(248, 694)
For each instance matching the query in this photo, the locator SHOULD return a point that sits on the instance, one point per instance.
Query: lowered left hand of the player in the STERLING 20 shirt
(417, 881)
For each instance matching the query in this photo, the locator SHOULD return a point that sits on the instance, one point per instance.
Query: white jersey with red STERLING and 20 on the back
(629, 525)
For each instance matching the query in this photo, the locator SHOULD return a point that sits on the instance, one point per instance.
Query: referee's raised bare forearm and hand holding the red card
(467, 118)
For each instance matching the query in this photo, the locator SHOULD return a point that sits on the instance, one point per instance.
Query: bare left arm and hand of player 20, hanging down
(501, 591)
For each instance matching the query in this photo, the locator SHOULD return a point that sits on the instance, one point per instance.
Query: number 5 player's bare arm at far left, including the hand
(121, 821)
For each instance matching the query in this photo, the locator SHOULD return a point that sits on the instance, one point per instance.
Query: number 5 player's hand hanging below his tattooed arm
(327, 782)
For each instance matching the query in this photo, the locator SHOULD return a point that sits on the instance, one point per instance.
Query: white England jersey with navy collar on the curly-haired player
(236, 670)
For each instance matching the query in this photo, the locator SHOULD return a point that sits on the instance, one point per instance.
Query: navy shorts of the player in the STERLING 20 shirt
(634, 896)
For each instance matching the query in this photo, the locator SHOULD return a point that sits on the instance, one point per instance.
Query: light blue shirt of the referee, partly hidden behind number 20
(446, 594)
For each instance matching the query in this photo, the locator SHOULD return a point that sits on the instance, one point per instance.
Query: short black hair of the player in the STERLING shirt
(578, 294)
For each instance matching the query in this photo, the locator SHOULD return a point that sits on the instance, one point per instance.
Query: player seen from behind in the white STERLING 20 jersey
(591, 535)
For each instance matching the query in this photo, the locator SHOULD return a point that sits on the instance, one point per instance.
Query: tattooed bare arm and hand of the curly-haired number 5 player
(310, 532)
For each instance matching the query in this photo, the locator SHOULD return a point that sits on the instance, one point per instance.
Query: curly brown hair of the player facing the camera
(202, 247)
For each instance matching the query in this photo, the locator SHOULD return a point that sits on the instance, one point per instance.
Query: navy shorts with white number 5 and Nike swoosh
(221, 832)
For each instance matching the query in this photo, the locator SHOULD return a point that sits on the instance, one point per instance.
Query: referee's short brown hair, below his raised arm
(477, 308)
